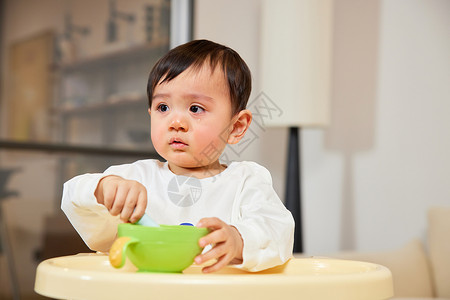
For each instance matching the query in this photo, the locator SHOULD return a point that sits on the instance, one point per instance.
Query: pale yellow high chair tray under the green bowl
(90, 276)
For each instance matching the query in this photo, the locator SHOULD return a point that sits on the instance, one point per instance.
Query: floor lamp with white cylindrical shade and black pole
(296, 40)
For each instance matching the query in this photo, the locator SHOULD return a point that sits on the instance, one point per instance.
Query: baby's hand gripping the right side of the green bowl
(227, 244)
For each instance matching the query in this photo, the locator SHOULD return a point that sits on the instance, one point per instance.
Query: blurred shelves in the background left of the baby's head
(101, 100)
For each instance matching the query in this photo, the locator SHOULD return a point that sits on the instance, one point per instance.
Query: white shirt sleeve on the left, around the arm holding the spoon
(96, 226)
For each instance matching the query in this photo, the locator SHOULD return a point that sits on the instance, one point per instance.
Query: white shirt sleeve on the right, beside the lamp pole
(266, 226)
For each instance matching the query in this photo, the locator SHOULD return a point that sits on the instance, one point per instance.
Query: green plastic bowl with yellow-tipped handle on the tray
(168, 248)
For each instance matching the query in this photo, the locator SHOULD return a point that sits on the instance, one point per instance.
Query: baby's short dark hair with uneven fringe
(195, 54)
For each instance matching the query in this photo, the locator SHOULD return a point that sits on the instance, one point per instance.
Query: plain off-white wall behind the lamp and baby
(369, 178)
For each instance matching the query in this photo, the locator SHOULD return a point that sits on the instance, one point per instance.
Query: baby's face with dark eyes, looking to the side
(191, 118)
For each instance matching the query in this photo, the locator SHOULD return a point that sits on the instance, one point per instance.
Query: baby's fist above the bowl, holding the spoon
(127, 198)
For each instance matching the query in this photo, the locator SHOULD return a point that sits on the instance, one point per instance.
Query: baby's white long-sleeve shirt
(242, 195)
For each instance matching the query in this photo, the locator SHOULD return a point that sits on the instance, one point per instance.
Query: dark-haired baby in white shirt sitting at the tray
(197, 95)
